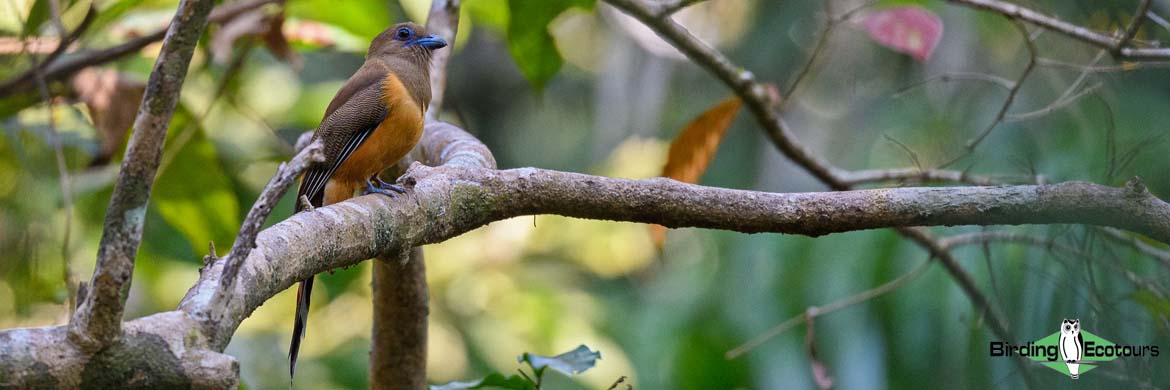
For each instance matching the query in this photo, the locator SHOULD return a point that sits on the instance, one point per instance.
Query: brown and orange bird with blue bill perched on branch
(373, 122)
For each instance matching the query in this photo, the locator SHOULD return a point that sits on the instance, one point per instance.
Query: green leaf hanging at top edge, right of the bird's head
(529, 42)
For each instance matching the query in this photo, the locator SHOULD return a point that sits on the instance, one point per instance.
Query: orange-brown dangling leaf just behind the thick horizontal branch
(694, 149)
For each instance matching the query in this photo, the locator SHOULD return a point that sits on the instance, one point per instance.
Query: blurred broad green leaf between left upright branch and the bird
(195, 195)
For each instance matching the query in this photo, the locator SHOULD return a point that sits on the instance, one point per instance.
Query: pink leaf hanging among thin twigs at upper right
(914, 31)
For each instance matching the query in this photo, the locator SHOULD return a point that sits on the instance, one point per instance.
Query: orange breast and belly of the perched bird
(394, 139)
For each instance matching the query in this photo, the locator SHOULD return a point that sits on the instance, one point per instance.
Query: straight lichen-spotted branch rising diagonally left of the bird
(99, 320)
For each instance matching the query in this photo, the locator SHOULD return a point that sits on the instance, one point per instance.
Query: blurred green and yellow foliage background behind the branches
(547, 284)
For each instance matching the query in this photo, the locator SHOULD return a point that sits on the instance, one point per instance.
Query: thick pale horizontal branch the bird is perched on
(463, 194)
